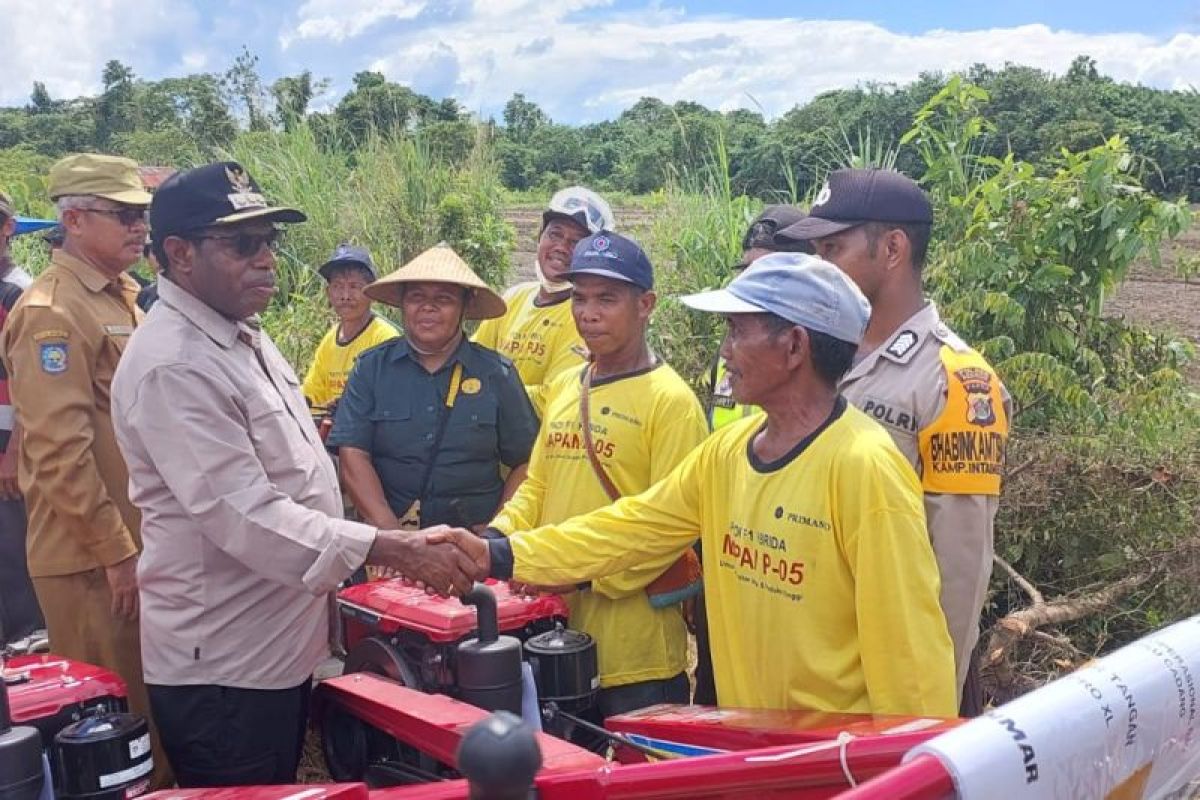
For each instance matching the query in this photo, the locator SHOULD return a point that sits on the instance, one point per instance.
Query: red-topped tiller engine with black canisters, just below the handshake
(445, 646)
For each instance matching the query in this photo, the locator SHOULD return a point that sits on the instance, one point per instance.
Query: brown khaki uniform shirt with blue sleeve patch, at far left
(62, 346)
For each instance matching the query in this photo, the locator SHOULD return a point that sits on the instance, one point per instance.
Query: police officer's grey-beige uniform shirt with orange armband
(949, 413)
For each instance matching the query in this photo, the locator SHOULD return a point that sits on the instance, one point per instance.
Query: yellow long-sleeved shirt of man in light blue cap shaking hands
(821, 582)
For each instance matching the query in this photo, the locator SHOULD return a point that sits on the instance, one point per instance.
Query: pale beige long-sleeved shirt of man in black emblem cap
(242, 513)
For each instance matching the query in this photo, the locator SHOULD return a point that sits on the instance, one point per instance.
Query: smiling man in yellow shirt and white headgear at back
(537, 333)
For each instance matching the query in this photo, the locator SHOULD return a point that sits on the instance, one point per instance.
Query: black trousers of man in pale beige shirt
(217, 736)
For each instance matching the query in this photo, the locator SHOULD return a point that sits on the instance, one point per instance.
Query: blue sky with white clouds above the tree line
(586, 61)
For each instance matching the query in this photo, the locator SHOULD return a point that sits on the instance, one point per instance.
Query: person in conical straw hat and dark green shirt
(428, 420)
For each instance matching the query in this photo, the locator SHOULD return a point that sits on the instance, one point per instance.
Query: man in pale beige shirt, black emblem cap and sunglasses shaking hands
(242, 513)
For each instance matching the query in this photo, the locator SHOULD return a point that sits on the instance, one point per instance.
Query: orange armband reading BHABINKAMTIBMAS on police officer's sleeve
(963, 452)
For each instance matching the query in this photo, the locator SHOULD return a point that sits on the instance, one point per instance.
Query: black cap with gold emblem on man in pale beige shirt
(215, 195)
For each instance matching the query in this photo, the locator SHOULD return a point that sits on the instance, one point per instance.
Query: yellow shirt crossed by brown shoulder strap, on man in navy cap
(643, 426)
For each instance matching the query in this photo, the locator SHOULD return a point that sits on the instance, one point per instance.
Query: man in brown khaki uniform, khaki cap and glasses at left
(62, 346)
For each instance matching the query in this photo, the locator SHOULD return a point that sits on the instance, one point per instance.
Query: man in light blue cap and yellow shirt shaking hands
(823, 587)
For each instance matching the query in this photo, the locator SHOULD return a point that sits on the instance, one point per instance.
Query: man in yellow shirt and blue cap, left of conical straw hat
(347, 274)
